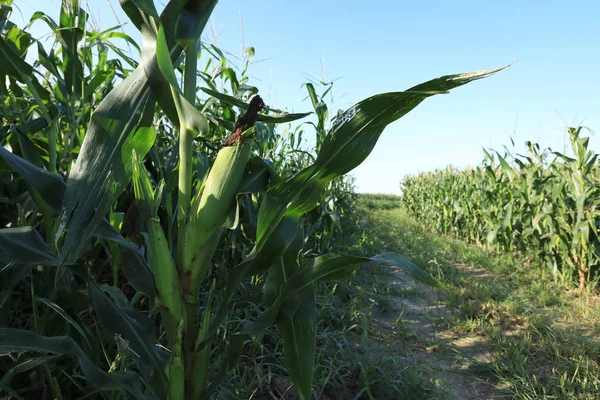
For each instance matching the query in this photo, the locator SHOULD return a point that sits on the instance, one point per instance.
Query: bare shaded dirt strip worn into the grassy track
(456, 360)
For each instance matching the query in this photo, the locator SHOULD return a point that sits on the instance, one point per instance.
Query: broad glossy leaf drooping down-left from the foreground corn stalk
(103, 167)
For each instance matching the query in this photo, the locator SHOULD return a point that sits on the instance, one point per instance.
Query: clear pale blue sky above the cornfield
(394, 45)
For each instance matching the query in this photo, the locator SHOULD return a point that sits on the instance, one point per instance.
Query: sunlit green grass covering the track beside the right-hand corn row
(540, 335)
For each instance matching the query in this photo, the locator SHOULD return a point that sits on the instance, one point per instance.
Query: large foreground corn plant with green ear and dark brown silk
(173, 271)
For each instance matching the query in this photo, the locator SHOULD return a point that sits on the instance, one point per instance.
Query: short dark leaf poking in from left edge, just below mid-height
(25, 246)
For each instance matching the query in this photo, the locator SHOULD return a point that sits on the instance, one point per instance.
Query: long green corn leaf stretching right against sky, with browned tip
(347, 145)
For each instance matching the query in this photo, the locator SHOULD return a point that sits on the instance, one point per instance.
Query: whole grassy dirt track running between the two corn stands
(501, 329)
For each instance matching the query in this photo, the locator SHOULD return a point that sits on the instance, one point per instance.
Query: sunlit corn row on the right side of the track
(544, 205)
